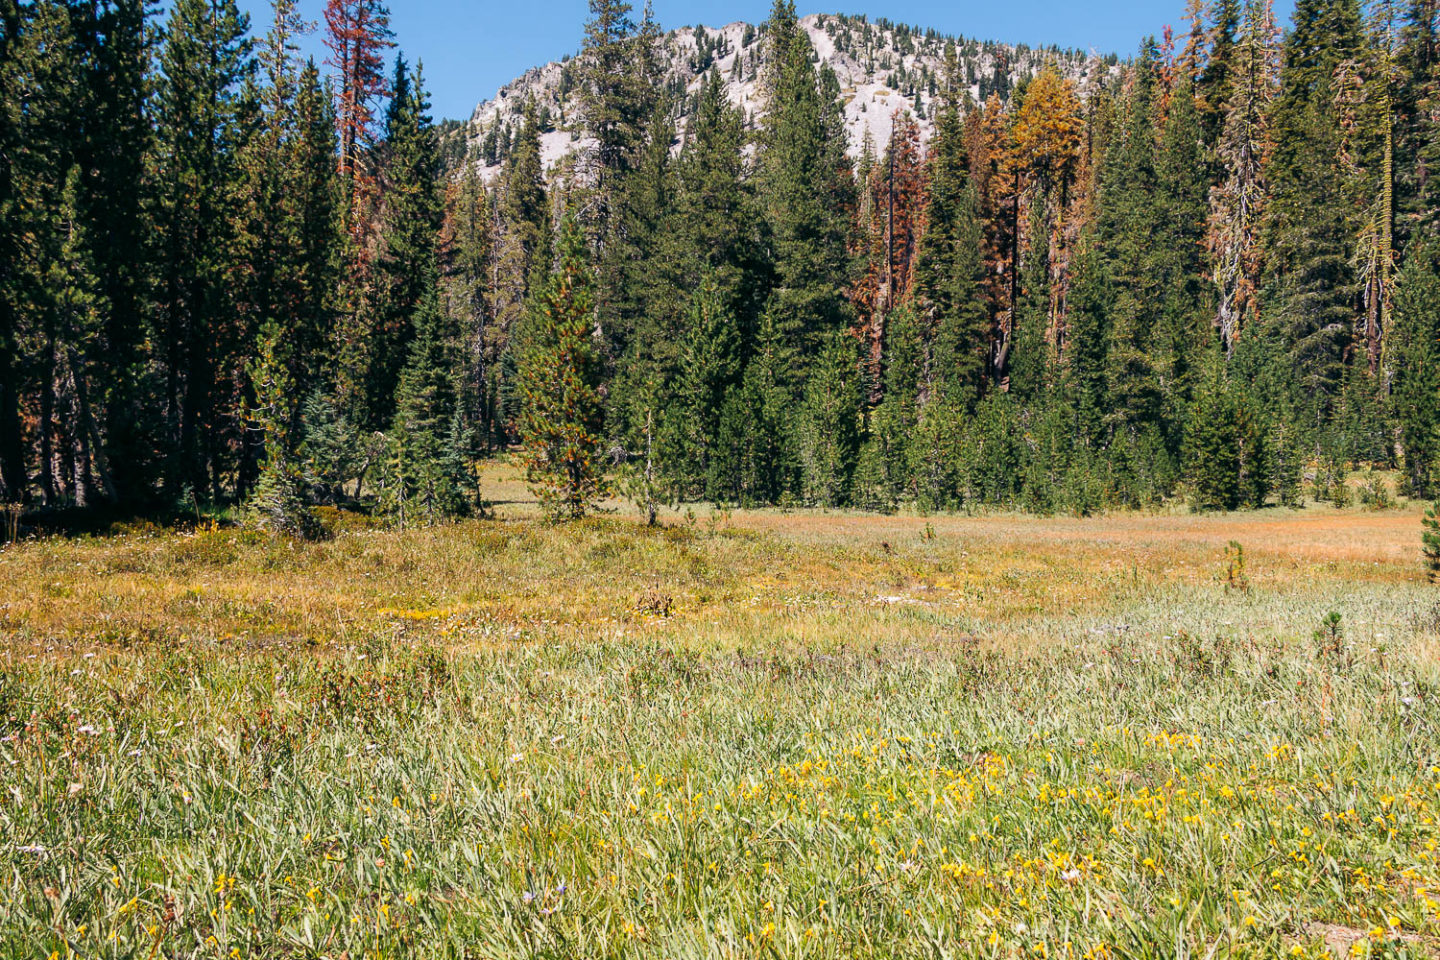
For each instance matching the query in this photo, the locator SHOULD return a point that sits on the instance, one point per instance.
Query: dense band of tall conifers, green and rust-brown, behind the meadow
(234, 276)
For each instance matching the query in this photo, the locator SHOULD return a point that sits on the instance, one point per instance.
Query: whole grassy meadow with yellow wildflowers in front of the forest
(745, 735)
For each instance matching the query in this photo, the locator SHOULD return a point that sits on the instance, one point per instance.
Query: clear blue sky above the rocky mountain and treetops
(473, 47)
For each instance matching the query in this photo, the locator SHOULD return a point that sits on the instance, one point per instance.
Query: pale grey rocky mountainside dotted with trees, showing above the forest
(883, 68)
